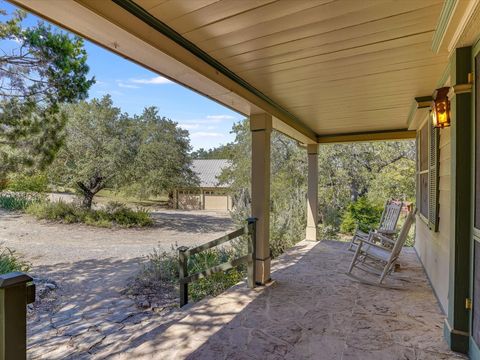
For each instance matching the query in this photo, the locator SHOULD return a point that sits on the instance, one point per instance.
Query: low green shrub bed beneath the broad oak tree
(112, 215)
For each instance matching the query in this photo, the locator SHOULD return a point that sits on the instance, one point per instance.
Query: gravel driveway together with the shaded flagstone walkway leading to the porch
(91, 267)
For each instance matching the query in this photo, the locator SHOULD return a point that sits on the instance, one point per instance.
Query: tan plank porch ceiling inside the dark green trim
(338, 66)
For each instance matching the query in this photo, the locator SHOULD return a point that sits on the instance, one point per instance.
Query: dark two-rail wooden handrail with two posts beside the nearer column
(184, 252)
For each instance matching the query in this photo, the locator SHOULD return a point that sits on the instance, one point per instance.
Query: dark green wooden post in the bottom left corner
(14, 297)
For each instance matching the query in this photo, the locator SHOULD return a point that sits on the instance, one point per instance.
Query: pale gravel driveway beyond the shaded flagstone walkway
(46, 243)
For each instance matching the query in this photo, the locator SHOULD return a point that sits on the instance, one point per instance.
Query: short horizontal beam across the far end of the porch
(399, 134)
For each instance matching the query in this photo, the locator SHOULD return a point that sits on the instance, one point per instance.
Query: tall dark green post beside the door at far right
(457, 326)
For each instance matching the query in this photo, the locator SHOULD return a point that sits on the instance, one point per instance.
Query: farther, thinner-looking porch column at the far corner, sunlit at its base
(312, 196)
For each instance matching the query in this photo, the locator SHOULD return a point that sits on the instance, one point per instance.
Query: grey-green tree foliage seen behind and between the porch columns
(346, 173)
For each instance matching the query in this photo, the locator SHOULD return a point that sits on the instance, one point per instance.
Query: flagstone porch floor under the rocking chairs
(312, 310)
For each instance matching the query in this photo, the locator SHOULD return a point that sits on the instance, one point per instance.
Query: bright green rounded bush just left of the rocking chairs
(361, 213)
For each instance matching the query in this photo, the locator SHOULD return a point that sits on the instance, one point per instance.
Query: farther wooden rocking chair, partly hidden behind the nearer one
(388, 224)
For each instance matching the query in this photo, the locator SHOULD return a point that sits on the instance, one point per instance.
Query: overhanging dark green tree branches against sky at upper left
(39, 69)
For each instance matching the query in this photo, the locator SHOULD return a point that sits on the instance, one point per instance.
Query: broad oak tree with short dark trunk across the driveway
(145, 154)
